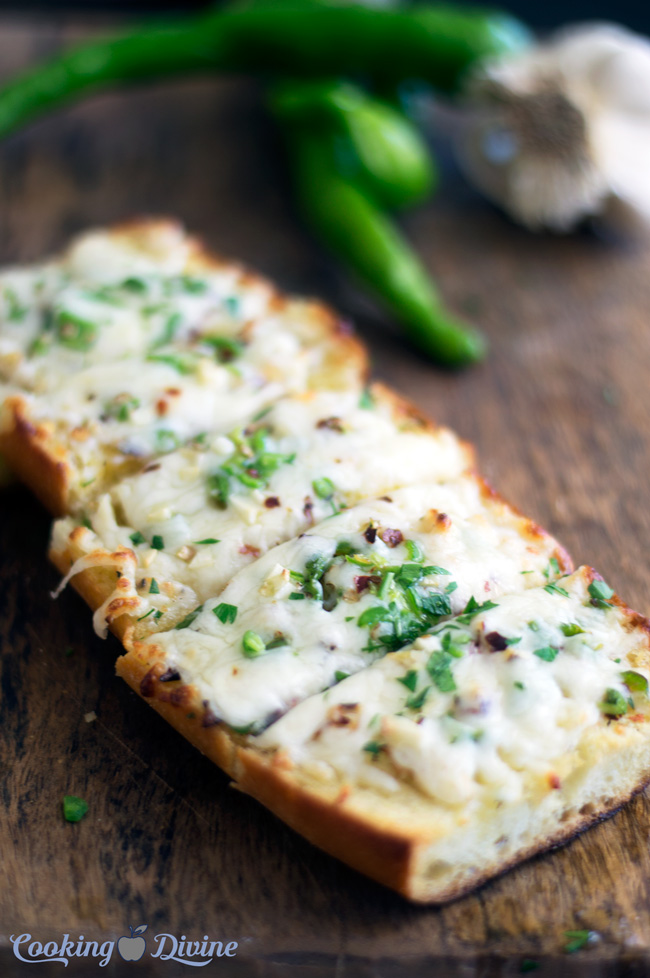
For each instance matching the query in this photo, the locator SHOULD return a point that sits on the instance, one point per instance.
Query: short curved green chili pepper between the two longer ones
(379, 149)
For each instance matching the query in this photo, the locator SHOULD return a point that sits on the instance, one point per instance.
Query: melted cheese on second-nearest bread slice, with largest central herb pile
(343, 613)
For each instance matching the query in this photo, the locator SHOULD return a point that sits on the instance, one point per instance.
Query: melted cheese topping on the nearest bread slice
(490, 722)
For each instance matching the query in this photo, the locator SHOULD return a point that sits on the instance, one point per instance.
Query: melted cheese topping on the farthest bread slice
(125, 352)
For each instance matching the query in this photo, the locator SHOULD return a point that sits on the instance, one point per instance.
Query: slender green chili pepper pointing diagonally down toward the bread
(356, 230)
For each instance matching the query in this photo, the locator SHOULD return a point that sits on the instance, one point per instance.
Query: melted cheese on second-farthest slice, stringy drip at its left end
(315, 437)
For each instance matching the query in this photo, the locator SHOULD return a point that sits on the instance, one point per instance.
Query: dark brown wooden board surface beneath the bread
(560, 413)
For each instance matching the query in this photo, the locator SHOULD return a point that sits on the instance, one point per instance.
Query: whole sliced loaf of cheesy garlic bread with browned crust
(310, 581)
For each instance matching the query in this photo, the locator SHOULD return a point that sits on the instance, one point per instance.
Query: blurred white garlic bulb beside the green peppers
(561, 131)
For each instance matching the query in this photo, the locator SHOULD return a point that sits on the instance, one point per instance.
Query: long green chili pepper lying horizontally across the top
(434, 43)
